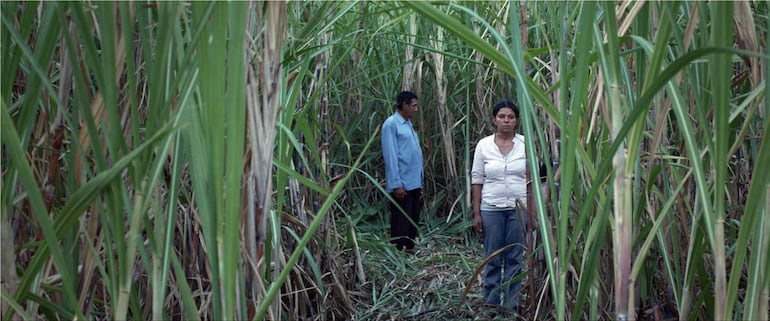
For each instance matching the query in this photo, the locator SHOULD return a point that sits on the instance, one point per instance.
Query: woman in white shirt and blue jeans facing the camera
(499, 188)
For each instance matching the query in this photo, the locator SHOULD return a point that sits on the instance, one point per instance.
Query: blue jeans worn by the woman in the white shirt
(501, 228)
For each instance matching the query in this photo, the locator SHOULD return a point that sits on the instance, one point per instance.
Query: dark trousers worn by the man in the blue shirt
(402, 230)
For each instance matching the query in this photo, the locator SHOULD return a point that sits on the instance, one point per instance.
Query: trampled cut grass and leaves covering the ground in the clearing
(425, 284)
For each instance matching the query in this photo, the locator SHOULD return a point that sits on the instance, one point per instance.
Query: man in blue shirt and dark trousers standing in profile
(403, 170)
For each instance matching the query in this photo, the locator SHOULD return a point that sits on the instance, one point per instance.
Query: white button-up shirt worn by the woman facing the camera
(504, 177)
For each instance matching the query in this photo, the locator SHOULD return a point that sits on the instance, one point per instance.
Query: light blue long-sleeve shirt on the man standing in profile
(402, 154)
